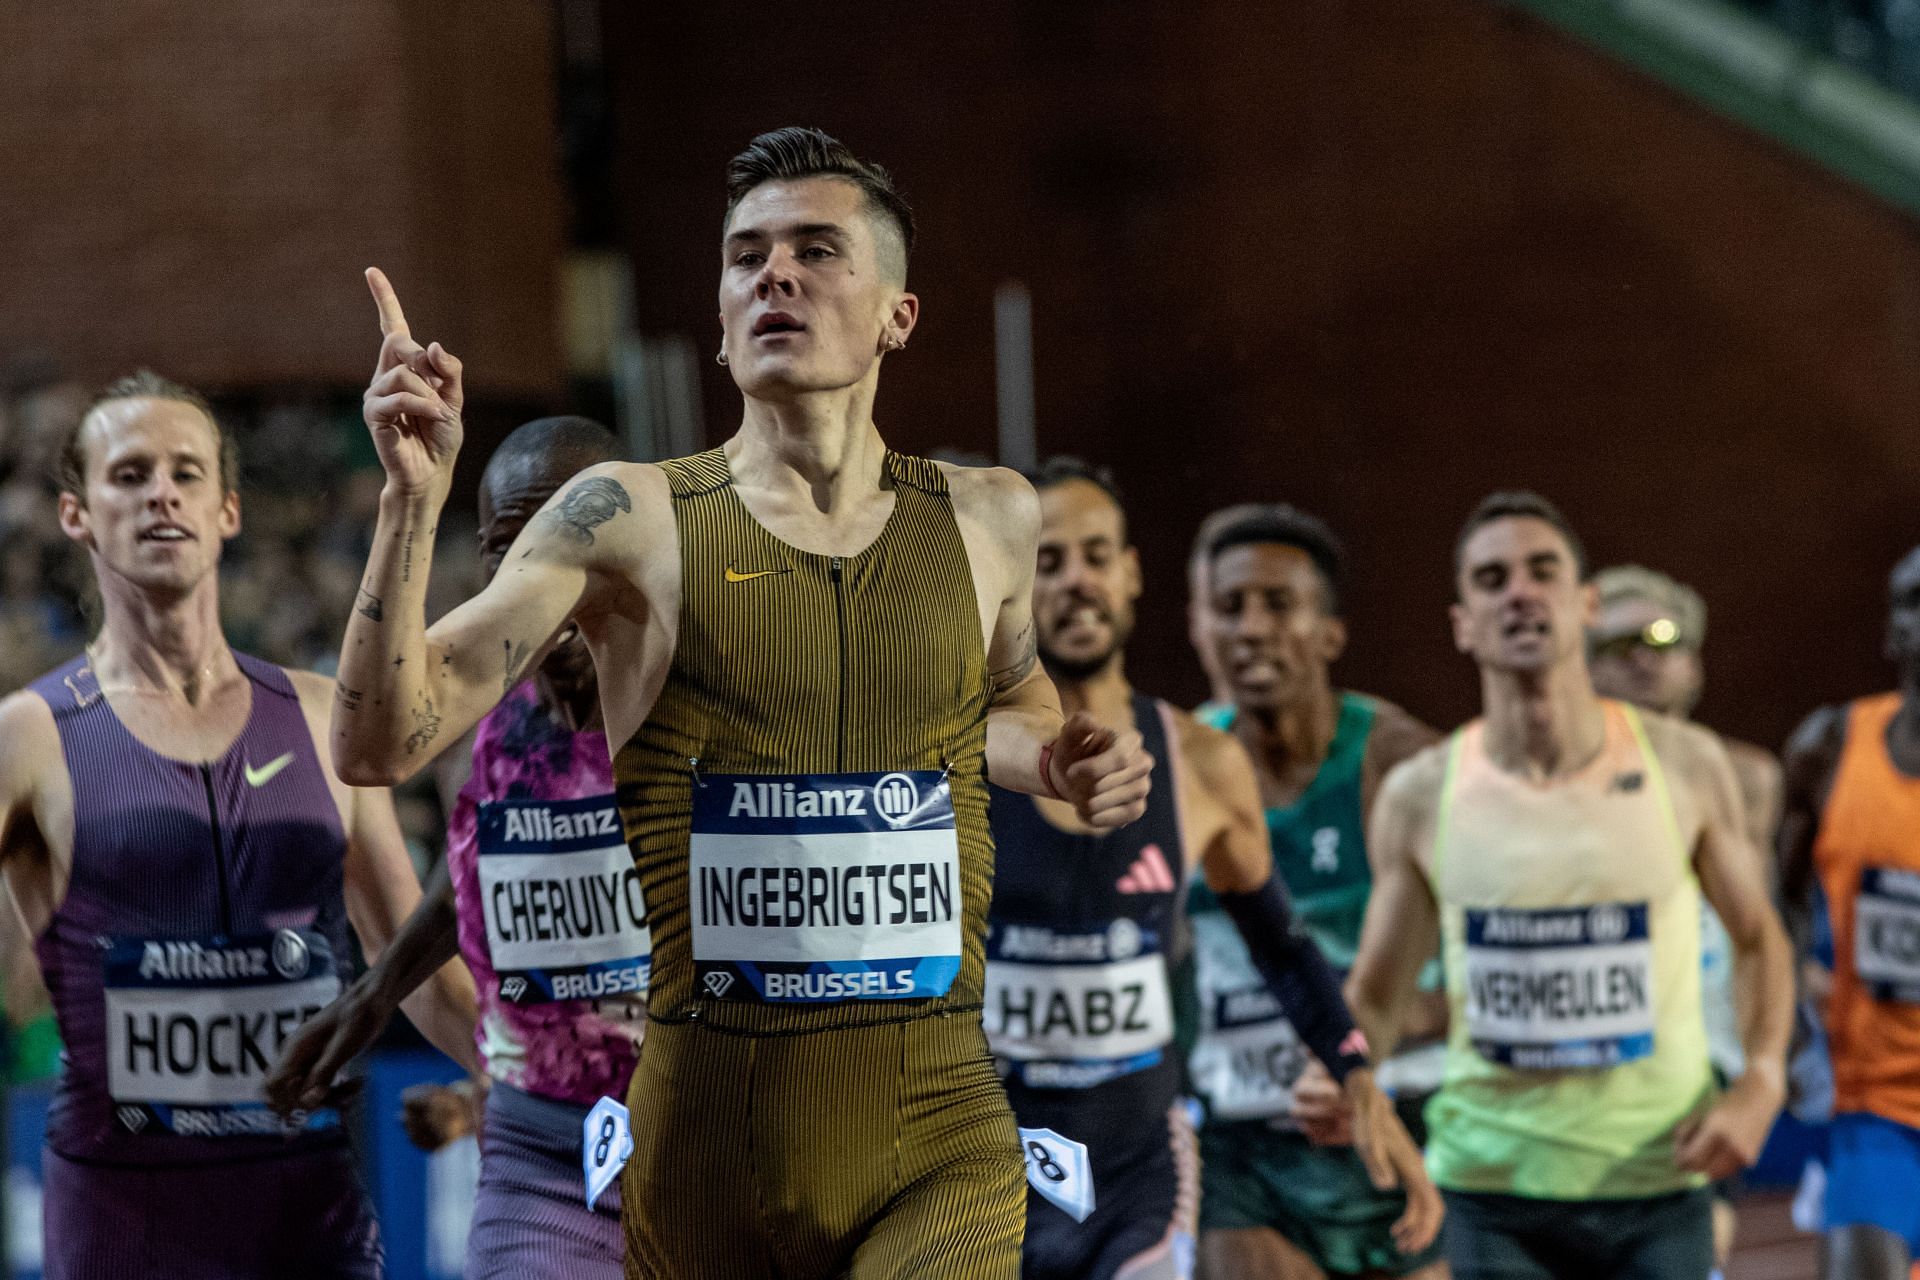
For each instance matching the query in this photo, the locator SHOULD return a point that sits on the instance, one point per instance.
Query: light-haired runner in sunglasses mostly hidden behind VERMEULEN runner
(1644, 648)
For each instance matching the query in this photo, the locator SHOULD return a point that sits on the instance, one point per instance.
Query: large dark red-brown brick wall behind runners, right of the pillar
(1376, 260)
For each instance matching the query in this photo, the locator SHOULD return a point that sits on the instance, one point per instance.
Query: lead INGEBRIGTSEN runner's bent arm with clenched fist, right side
(1030, 749)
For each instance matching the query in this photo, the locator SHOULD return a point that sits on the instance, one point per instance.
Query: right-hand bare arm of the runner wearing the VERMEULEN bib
(1733, 874)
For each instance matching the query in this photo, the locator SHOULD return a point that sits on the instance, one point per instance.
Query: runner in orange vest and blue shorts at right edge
(1854, 832)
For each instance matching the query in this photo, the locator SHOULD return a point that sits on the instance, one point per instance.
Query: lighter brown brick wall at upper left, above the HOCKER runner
(197, 187)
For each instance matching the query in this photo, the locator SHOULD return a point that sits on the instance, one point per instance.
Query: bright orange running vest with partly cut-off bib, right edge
(1869, 863)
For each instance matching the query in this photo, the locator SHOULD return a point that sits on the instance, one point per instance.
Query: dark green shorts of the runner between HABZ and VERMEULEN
(1318, 1198)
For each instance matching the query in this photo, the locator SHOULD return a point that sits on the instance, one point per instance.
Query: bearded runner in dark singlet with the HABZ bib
(1088, 945)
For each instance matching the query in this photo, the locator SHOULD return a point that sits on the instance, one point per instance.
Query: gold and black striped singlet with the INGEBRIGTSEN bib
(784, 797)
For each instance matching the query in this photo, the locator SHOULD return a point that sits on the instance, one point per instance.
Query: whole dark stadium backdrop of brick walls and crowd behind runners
(1374, 260)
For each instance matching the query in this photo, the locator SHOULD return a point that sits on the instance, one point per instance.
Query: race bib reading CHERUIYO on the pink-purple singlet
(560, 893)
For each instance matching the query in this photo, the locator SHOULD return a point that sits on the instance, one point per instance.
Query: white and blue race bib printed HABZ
(1074, 1010)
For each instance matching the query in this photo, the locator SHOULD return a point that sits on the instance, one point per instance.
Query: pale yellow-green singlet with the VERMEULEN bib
(1570, 922)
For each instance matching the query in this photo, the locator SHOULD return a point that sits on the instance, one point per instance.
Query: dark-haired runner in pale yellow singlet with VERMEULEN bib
(1560, 849)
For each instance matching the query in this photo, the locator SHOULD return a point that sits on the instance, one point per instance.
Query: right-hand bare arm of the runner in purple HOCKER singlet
(381, 893)
